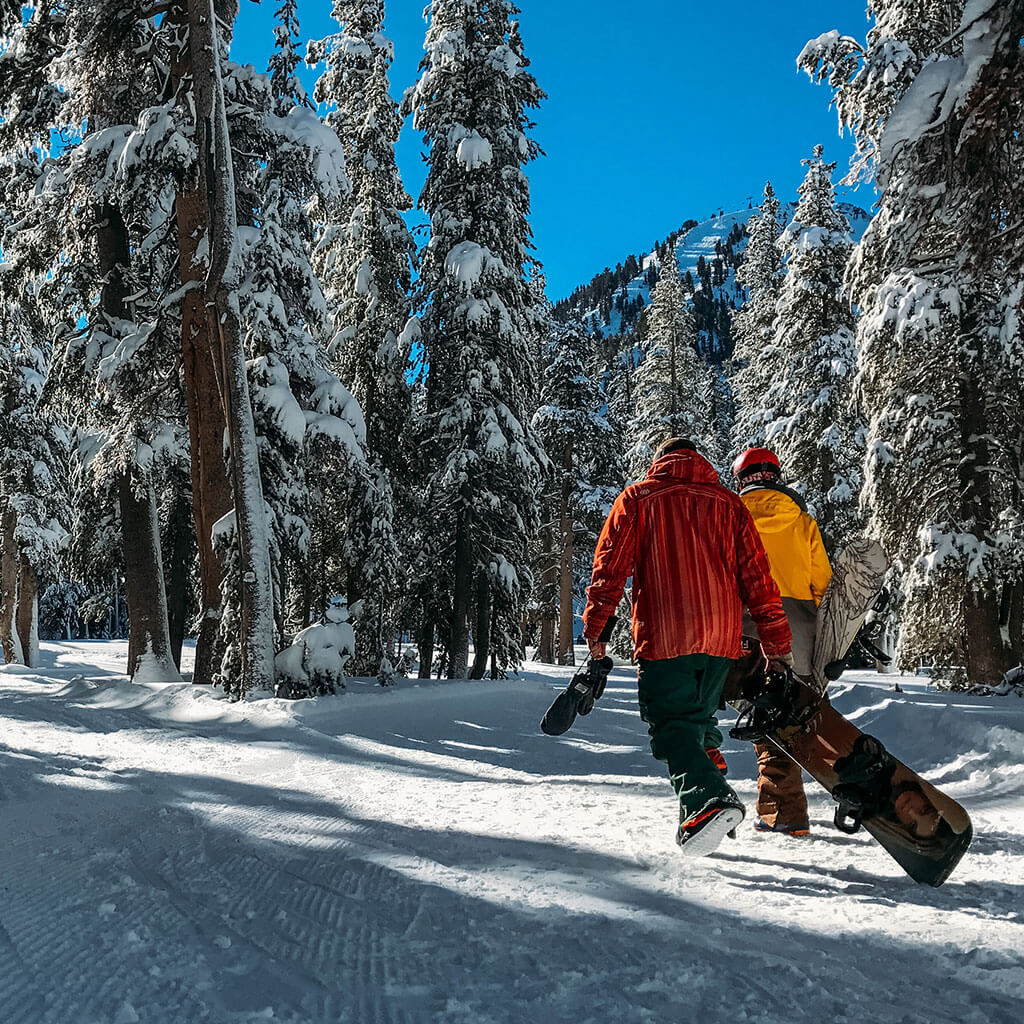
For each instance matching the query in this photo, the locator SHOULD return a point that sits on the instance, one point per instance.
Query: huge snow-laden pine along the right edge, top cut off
(934, 101)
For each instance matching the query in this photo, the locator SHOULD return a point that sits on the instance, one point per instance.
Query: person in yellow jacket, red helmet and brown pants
(801, 570)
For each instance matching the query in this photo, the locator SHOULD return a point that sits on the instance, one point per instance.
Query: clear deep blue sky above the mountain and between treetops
(659, 111)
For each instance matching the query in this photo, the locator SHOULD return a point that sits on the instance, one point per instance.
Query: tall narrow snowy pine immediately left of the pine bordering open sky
(366, 255)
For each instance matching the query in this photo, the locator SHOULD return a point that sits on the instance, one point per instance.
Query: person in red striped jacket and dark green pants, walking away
(696, 560)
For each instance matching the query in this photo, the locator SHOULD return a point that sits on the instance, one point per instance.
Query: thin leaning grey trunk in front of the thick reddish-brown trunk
(217, 179)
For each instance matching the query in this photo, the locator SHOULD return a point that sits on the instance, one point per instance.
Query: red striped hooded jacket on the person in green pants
(696, 560)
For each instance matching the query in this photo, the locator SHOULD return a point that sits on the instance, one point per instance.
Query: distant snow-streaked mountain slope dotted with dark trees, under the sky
(709, 254)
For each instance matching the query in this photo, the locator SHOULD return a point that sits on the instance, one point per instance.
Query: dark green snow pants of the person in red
(678, 700)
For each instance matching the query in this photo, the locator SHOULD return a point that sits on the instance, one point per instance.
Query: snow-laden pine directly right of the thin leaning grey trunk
(309, 428)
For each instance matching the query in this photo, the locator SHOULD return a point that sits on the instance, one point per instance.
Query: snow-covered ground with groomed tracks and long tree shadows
(425, 855)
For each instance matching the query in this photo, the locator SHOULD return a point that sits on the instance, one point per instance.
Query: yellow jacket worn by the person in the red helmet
(793, 542)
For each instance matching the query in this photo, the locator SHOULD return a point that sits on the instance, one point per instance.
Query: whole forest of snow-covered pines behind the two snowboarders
(242, 403)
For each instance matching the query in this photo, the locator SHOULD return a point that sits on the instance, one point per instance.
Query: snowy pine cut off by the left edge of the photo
(35, 450)
